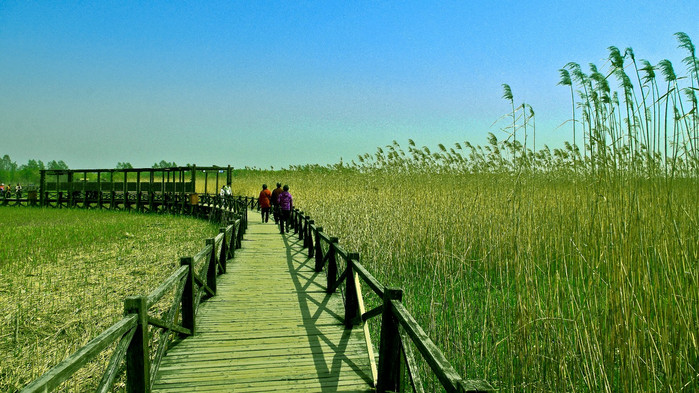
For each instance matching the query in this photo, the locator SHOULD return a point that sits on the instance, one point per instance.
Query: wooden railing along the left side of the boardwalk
(192, 283)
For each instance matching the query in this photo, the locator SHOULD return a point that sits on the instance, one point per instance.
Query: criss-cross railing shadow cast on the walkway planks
(313, 303)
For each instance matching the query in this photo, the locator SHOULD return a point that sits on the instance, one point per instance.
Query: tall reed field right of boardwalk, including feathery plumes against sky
(573, 269)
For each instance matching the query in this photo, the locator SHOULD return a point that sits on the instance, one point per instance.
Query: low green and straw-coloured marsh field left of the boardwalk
(64, 275)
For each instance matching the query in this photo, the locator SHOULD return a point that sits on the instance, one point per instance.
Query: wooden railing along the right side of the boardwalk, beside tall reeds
(397, 366)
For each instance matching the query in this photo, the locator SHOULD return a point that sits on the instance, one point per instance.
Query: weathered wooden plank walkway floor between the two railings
(271, 327)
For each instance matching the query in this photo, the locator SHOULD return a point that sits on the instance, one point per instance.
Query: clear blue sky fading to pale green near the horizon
(271, 84)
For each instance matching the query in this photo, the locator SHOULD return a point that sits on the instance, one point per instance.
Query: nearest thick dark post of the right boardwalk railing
(389, 345)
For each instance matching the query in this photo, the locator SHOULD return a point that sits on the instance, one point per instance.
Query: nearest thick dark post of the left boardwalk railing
(138, 353)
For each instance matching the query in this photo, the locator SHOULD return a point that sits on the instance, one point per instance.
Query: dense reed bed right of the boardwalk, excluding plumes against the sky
(532, 282)
